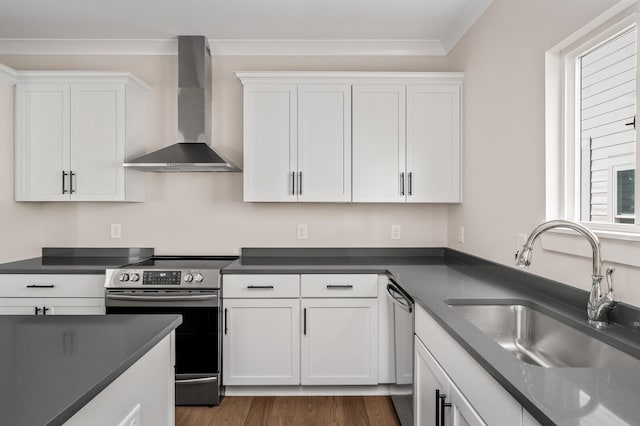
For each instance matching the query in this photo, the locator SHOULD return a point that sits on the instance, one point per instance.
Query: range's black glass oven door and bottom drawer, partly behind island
(198, 338)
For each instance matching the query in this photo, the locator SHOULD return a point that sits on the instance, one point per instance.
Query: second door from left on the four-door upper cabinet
(324, 143)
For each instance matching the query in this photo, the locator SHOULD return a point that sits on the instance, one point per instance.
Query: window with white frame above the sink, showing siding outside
(591, 83)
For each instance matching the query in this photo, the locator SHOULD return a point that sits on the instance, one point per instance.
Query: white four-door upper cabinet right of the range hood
(352, 136)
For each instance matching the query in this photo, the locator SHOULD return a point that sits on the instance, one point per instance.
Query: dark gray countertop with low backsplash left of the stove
(55, 260)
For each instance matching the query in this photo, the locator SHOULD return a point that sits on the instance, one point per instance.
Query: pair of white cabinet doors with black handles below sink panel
(438, 400)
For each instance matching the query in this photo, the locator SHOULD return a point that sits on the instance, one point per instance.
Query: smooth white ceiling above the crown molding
(436, 23)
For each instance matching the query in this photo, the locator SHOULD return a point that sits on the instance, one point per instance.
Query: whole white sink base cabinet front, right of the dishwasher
(475, 397)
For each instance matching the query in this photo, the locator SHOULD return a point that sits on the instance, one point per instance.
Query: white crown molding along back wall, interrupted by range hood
(225, 47)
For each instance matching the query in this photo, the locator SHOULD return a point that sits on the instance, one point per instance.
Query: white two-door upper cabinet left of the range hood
(73, 132)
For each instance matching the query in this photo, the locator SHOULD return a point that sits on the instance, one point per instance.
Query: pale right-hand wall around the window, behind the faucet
(504, 140)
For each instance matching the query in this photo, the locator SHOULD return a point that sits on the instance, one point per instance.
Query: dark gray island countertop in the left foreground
(46, 377)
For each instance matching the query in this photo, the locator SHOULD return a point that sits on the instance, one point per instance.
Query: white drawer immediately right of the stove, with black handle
(260, 286)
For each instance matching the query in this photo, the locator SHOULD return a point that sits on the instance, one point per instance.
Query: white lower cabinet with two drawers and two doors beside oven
(300, 330)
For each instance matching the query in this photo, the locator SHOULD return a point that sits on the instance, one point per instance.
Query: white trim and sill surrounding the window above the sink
(619, 241)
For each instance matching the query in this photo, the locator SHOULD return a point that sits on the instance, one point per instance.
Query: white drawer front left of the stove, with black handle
(51, 285)
